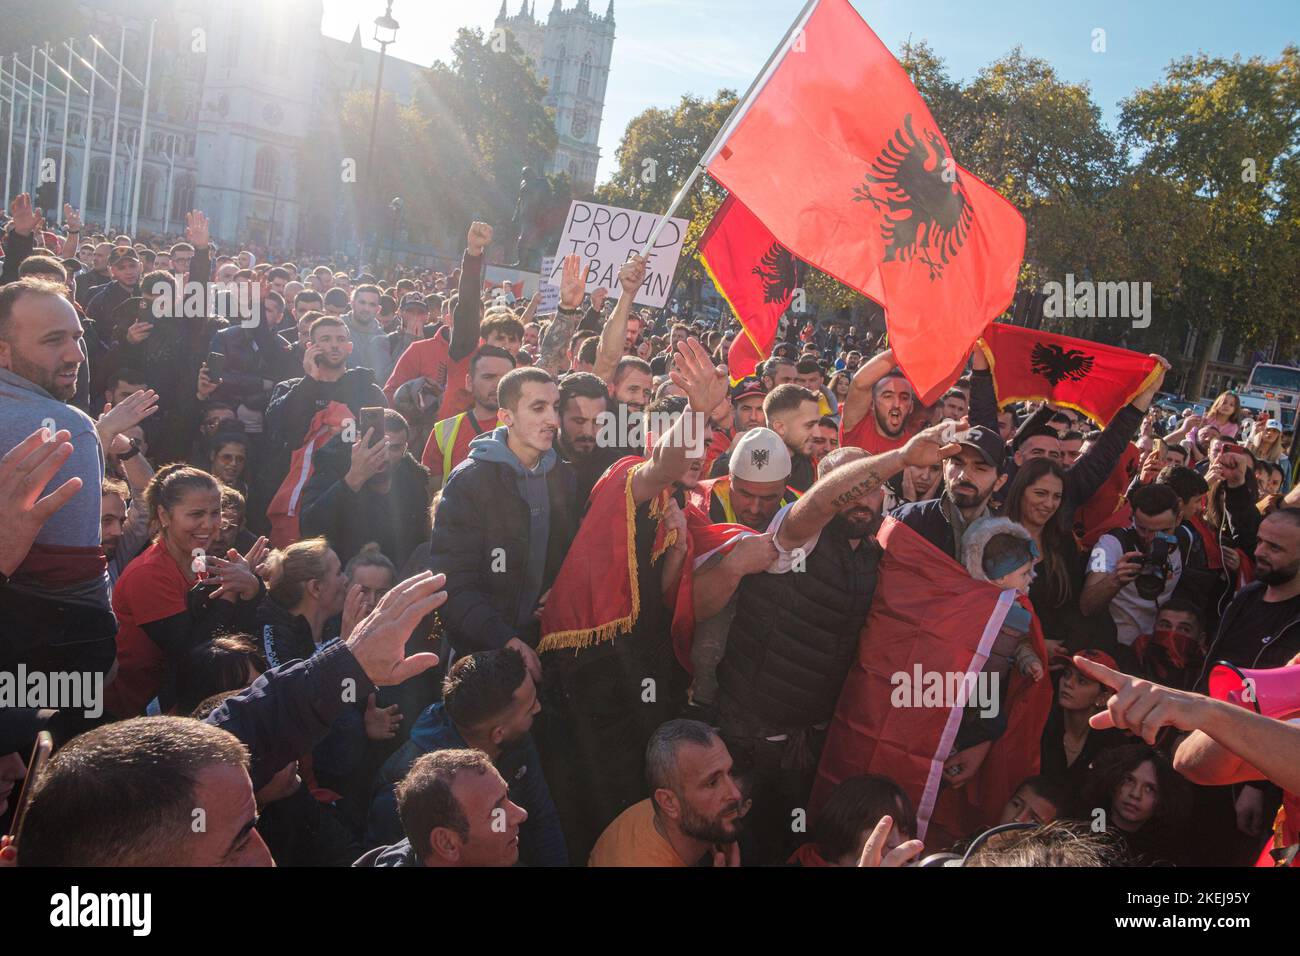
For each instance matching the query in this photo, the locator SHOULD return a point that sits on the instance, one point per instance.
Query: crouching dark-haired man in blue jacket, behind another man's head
(489, 702)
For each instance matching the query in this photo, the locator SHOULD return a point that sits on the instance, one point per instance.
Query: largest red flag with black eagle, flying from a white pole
(839, 157)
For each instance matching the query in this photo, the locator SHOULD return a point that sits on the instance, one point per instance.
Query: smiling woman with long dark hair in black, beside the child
(1034, 501)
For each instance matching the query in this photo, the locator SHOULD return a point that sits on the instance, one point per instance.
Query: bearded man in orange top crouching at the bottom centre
(694, 815)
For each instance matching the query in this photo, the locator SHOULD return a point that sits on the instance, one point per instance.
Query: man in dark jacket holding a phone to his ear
(369, 491)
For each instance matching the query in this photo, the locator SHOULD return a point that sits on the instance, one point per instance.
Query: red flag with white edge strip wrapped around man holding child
(930, 617)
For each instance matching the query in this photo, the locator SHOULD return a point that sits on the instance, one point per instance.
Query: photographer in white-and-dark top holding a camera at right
(1134, 570)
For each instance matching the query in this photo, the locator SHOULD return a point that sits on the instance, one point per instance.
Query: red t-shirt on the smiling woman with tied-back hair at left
(151, 589)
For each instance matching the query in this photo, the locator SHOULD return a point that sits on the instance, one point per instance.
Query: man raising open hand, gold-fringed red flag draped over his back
(616, 626)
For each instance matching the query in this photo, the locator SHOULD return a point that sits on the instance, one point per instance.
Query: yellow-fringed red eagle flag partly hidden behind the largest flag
(756, 275)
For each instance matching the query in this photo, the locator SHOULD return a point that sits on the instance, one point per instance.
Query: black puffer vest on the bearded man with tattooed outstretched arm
(795, 635)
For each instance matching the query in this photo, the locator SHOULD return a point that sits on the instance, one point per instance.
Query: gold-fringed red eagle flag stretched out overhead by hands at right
(1091, 378)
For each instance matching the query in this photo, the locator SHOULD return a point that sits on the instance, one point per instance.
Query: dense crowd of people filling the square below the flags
(408, 574)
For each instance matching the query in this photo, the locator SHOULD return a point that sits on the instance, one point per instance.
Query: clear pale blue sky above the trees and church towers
(666, 49)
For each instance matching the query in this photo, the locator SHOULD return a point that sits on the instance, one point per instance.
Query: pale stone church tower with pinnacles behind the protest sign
(571, 51)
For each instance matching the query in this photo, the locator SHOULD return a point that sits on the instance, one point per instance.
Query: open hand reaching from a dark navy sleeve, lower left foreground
(379, 642)
